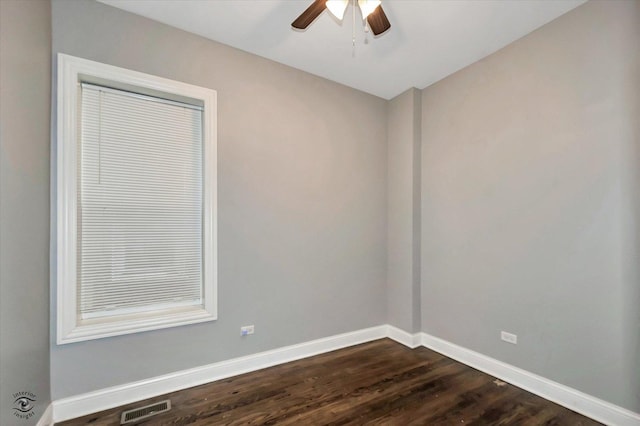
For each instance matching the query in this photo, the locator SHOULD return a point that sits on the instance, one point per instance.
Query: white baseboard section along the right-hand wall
(573, 399)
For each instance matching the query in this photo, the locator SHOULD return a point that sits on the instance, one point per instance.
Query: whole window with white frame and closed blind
(136, 202)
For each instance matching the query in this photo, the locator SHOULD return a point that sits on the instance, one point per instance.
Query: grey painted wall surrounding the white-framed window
(302, 201)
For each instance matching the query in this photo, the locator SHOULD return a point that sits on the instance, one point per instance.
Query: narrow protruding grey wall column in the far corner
(403, 210)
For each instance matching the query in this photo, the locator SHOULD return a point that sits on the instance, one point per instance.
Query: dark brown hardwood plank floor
(379, 383)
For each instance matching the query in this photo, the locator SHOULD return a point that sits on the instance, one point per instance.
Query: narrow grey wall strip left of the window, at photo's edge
(25, 85)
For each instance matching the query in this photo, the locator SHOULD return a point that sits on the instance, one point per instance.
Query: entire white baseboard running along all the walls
(80, 405)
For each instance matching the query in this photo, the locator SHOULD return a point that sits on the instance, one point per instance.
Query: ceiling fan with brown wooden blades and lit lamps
(371, 11)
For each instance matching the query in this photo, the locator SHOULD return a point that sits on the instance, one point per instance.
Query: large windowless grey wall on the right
(530, 203)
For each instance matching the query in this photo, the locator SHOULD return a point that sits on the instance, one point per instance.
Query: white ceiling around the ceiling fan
(428, 39)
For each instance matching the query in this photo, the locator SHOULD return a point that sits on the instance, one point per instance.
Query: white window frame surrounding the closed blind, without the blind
(71, 72)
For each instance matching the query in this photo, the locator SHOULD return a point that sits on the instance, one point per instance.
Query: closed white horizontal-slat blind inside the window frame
(139, 204)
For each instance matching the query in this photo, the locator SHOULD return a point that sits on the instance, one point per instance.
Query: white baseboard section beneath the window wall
(81, 405)
